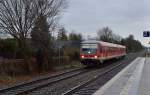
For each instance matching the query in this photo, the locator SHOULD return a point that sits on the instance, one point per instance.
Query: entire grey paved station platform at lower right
(132, 80)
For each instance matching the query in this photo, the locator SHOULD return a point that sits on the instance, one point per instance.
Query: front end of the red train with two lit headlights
(89, 53)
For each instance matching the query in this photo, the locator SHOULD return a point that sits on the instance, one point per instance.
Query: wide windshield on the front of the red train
(89, 48)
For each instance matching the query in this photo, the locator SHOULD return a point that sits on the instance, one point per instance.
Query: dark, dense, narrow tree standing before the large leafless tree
(41, 40)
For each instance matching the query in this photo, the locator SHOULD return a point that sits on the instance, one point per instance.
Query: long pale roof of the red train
(103, 43)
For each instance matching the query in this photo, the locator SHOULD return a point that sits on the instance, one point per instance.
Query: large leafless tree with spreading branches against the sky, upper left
(17, 17)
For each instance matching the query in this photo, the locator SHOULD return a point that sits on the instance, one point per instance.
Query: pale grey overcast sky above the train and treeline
(124, 17)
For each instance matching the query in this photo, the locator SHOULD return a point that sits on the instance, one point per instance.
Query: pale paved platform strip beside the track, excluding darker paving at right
(126, 82)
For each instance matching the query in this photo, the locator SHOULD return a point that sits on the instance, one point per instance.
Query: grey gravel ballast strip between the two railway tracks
(62, 86)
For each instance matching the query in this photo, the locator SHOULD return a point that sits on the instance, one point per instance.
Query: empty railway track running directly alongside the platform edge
(90, 86)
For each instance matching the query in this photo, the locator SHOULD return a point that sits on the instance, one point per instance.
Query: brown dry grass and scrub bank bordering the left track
(12, 71)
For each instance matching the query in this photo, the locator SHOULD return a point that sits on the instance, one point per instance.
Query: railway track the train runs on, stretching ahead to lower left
(42, 82)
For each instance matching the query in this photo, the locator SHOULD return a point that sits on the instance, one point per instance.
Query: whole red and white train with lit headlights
(97, 51)
